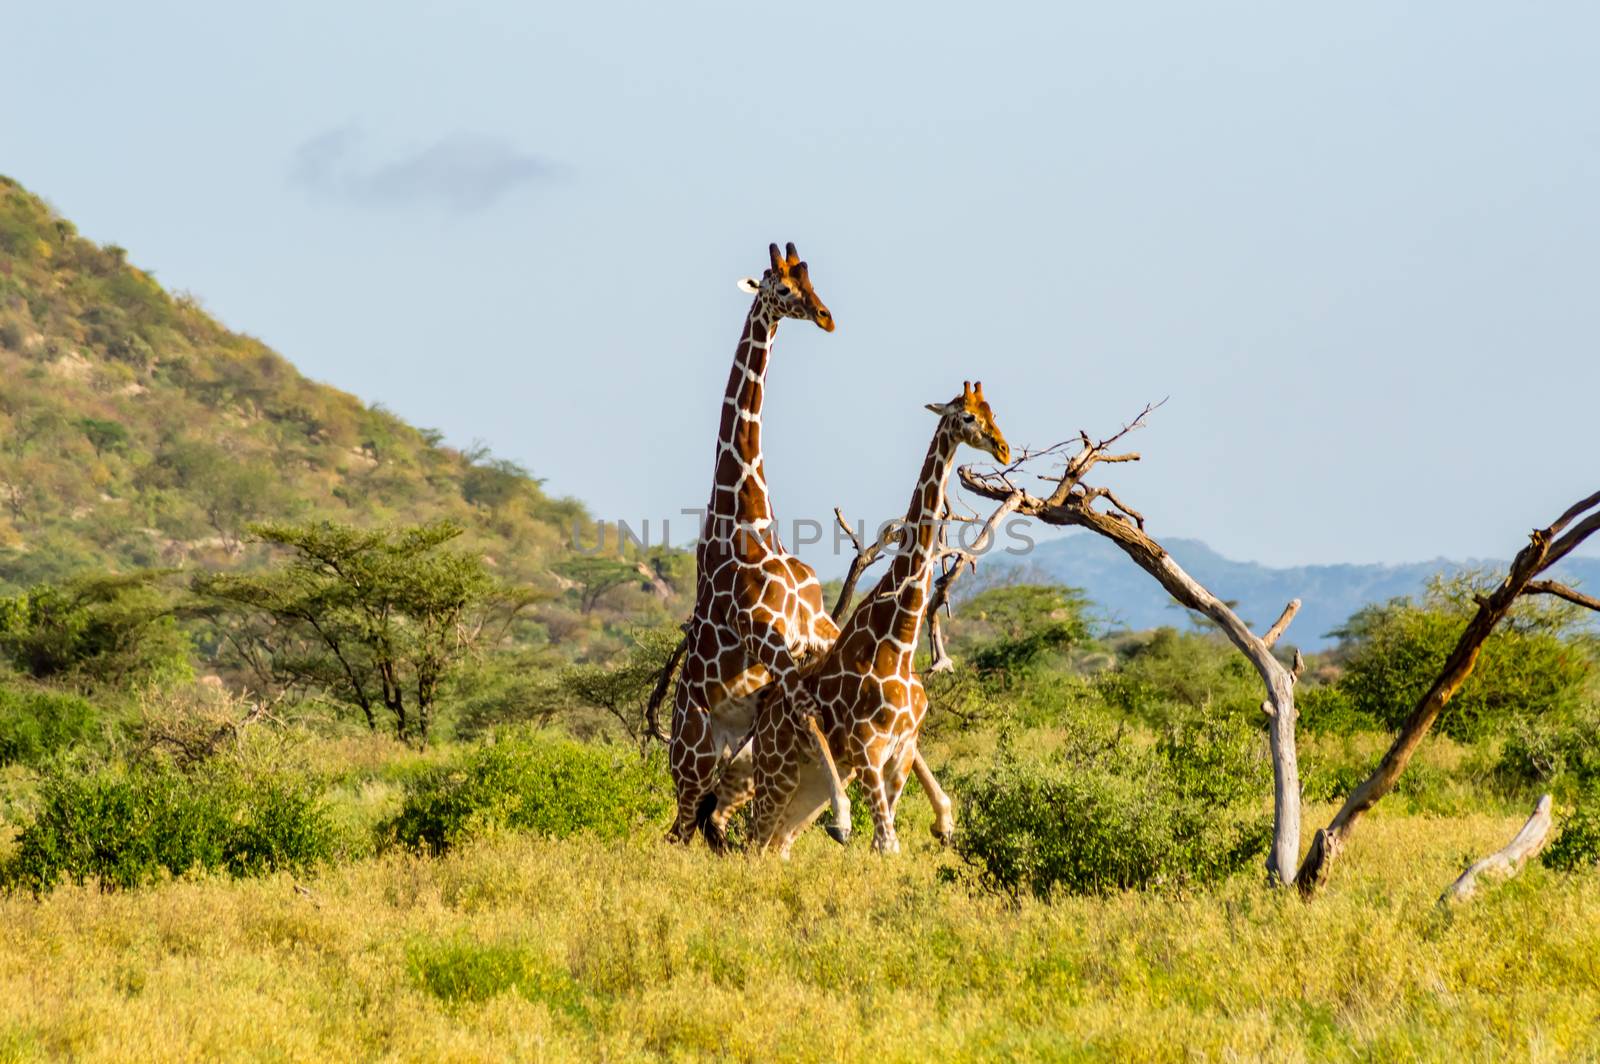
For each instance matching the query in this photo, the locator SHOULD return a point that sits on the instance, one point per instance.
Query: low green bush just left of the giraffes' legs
(532, 783)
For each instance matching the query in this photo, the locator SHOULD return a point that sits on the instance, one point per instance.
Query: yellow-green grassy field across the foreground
(522, 948)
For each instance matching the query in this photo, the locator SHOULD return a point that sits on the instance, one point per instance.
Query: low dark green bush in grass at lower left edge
(126, 830)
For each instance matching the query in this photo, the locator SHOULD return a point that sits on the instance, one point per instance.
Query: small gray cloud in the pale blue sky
(460, 172)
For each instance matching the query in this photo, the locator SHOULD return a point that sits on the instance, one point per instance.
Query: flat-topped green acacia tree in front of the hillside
(375, 620)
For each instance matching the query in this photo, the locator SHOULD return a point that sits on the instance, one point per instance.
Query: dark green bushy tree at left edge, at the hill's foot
(110, 630)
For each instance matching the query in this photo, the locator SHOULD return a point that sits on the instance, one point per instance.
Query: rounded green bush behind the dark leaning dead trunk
(1530, 666)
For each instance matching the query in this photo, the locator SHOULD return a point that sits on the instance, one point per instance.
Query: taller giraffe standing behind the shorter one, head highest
(758, 609)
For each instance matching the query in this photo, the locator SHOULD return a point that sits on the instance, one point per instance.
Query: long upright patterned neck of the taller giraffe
(738, 497)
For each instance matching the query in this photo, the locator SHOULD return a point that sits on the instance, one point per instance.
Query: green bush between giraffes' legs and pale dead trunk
(1105, 817)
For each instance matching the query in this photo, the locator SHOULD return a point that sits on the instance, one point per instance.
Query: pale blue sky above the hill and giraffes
(1356, 246)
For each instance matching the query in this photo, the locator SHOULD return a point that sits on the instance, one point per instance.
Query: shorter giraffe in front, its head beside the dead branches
(868, 698)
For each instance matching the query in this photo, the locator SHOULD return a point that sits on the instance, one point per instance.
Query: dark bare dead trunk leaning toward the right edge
(1546, 546)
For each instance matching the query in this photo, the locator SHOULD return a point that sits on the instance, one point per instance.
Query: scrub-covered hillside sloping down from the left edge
(137, 433)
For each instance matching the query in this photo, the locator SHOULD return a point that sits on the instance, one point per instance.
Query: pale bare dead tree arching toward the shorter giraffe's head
(1073, 503)
